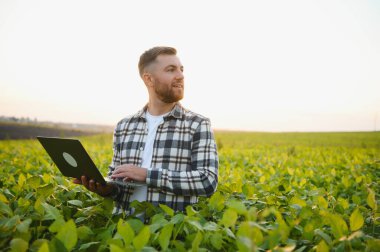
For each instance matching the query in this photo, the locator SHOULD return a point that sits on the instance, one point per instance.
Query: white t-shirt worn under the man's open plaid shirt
(153, 122)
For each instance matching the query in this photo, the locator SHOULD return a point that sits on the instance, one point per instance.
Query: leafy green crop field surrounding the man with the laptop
(276, 192)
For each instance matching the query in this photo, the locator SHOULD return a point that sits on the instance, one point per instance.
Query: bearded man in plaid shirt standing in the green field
(169, 148)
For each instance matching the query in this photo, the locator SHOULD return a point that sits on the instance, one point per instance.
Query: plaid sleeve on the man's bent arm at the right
(202, 178)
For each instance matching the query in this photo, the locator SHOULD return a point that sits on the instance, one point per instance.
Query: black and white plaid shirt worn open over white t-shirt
(184, 162)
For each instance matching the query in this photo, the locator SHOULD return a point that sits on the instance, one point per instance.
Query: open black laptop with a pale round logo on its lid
(73, 160)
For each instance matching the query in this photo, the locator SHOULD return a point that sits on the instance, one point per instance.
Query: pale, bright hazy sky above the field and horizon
(271, 66)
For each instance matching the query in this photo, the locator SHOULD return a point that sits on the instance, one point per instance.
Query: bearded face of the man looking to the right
(167, 78)
